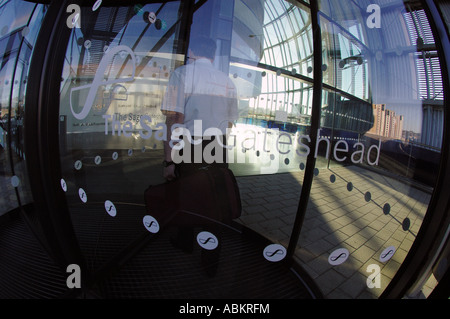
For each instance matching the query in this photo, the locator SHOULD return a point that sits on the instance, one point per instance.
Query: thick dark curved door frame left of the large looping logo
(42, 144)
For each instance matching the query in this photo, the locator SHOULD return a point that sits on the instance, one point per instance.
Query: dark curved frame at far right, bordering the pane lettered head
(437, 219)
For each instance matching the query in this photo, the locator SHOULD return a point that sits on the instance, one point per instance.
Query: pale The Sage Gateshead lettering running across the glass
(282, 141)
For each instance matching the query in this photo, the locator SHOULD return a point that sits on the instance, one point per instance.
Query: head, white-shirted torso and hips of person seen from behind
(198, 93)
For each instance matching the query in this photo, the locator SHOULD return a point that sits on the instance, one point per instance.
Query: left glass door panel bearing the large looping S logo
(117, 64)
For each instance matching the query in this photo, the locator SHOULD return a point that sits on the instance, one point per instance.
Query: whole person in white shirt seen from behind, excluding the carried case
(199, 93)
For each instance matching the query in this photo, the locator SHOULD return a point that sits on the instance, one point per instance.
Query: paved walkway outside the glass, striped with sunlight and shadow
(339, 215)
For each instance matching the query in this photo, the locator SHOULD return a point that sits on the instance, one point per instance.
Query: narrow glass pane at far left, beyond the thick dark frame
(19, 26)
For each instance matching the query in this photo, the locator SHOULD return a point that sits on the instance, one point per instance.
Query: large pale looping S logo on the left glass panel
(98, 79)
